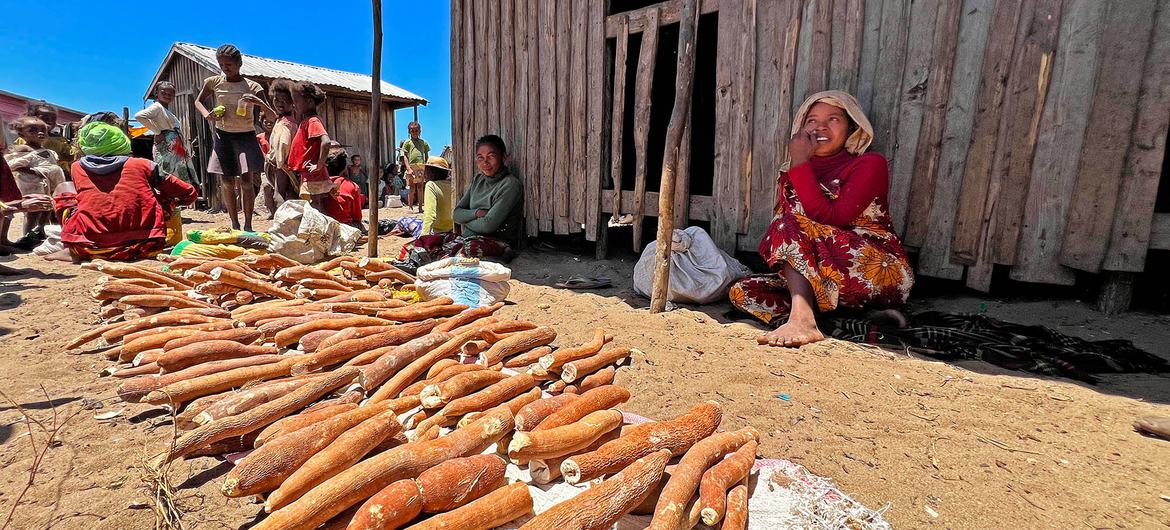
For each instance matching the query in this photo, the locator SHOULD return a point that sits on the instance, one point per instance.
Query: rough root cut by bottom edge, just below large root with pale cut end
(602, 506)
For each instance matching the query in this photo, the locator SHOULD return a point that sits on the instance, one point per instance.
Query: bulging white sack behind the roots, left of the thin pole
(304, 235)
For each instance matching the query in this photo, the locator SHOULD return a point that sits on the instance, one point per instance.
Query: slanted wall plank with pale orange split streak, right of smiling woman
(1028, 86)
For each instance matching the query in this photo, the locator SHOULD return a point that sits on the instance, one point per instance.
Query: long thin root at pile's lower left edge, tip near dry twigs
(260, 417)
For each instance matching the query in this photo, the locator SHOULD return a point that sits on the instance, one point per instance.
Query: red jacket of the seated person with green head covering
(116, 209)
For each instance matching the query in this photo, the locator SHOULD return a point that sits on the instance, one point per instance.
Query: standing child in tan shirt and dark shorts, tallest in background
(237, 156)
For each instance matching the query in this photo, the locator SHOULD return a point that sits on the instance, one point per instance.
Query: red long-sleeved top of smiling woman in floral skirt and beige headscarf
(857, 182)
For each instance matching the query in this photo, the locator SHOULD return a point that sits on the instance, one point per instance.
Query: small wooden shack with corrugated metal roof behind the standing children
(346, 113)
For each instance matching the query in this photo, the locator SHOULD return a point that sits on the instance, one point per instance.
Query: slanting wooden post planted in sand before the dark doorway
(689, 26)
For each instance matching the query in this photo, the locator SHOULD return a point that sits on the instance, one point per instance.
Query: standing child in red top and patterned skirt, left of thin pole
(311, 146)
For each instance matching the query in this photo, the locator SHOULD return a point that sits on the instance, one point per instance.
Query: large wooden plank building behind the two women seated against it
(1023, 134)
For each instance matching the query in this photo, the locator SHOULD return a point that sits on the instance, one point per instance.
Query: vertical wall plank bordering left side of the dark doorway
(596, 116)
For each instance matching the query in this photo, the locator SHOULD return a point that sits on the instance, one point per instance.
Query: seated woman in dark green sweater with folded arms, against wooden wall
(488, 215)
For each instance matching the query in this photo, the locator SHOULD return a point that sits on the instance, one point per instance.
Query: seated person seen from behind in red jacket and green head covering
(123, 204)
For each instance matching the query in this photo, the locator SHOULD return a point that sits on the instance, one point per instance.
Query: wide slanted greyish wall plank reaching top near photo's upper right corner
(1125, 43)
